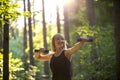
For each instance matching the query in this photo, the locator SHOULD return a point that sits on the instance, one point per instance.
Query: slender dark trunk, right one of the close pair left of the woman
(30, 36)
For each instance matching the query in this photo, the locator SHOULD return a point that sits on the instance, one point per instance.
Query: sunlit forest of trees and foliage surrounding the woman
(25, 27)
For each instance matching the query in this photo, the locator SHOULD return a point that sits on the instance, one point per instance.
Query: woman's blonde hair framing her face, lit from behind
(53, 42)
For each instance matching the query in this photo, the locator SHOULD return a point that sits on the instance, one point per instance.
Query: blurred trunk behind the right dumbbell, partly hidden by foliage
(91, 20)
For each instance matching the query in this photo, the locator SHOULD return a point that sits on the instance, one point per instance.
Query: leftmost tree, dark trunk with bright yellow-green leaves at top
(7, 16)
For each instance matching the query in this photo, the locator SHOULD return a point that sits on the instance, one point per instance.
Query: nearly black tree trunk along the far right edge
(117, 35)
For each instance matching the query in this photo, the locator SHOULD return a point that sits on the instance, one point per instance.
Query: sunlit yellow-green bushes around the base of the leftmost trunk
(16, 69)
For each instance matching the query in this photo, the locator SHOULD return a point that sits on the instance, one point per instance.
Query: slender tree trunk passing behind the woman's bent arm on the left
(46, 71)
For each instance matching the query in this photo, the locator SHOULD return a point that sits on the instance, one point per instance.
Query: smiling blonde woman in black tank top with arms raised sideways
(60, 57)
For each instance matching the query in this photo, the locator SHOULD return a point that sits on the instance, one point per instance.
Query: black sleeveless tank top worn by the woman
(60, 67)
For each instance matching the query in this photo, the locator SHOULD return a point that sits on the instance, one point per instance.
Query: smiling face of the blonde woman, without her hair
(59, 41)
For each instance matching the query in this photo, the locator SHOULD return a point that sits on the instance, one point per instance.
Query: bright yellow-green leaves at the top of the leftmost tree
(8, 10)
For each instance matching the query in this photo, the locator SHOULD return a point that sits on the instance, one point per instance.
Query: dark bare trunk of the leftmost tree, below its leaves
(6, 51)
